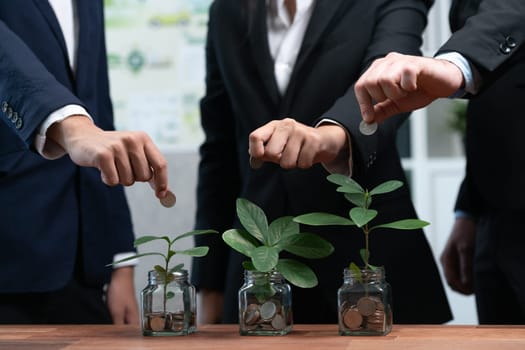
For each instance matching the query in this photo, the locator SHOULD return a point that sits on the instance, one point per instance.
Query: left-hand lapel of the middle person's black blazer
(261, 51)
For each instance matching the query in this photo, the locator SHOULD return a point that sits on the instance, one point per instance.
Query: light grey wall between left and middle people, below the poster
(151, 218)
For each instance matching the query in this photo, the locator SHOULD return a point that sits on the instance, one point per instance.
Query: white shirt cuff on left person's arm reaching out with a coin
(48, 148)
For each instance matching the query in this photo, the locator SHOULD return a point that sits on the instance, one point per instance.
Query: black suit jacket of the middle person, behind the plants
(342, 39)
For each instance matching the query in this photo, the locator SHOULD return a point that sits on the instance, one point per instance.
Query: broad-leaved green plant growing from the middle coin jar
(263, 244)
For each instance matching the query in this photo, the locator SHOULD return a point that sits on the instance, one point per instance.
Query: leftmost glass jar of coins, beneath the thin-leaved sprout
(168, 308)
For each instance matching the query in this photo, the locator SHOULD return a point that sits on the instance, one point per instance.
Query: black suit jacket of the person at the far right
(490, 34)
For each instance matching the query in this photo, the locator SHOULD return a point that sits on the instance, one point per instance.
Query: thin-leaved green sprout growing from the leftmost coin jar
(165, 271)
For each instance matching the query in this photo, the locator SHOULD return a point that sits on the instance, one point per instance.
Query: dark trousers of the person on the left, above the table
(73, 304)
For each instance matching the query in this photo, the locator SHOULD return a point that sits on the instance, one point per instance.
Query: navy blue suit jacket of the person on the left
(55, 214)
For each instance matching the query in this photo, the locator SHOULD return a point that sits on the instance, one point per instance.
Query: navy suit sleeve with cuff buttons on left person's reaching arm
(28, 94)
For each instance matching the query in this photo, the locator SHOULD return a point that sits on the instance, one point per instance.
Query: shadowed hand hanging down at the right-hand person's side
(457, 257)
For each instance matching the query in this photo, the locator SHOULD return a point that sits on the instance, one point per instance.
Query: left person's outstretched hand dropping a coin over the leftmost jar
(123, 157)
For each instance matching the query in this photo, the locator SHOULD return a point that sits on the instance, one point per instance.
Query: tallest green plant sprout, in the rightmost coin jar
(361, 215)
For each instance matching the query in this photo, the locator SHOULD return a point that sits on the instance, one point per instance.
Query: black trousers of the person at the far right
(499, 268)
